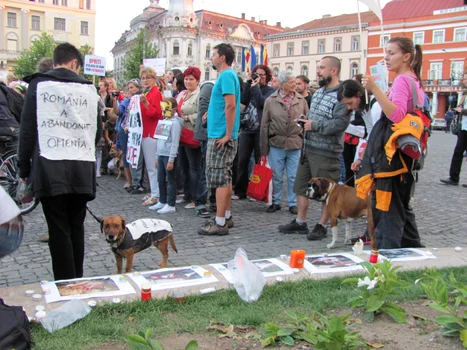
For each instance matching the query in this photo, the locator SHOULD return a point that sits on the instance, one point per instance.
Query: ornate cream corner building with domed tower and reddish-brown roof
(186, 38)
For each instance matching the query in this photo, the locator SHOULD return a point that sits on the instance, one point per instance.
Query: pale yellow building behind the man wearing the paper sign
(23, 21)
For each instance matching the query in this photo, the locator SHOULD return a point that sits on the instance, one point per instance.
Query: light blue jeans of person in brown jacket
(280, 159)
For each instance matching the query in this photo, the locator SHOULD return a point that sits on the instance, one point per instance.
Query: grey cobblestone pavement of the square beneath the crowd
(439, 212)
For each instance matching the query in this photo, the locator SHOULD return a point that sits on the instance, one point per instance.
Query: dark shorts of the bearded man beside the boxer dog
(315, 165)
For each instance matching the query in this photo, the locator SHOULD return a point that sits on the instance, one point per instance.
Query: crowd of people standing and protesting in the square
(182, 141)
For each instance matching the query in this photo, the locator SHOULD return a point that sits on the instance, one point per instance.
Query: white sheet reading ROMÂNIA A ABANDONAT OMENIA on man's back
(67, 120)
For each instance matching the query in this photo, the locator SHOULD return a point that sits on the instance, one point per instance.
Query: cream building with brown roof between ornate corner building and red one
(301, 48)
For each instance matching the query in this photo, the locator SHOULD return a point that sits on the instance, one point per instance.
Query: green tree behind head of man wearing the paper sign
(40, 48)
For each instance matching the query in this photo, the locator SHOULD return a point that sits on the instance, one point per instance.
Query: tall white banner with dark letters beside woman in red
(135, 132)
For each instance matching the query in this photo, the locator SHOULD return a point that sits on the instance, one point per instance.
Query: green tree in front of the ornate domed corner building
(134, 57)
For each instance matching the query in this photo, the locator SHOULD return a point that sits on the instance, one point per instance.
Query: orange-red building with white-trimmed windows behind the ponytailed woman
(440, 27)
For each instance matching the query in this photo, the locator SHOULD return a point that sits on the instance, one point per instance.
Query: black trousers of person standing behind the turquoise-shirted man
(247, 144)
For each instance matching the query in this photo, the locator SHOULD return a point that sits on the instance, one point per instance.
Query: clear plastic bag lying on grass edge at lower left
(65, 315)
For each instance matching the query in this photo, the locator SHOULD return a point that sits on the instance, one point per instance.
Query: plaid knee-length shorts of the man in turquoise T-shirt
(219, 163)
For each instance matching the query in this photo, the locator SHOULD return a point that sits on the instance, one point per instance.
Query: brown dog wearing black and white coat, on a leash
(127, 240)
